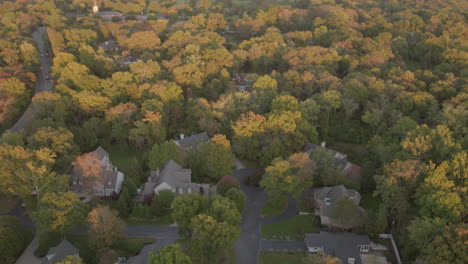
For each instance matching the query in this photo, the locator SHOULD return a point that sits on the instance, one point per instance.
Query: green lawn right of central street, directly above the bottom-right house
(291, 229)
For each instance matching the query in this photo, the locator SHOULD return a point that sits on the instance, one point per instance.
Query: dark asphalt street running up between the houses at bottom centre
(247, 246)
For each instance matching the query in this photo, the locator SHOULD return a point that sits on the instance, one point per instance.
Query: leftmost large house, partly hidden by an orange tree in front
(107, 182)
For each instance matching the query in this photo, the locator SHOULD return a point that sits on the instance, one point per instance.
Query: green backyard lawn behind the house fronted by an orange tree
(124, 156)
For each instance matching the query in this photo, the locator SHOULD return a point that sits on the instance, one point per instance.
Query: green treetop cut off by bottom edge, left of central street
(170, 254)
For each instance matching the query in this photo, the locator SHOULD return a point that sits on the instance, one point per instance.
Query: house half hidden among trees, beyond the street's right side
(350, 170)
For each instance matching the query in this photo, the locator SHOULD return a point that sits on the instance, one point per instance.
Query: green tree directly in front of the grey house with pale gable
(185, 207)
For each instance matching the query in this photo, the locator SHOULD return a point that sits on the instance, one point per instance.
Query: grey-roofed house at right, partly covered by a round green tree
(325, 199)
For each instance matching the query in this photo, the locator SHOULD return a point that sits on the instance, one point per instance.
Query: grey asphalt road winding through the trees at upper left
(42, 84)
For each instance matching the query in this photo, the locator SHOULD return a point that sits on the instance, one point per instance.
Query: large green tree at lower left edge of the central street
(210, 237)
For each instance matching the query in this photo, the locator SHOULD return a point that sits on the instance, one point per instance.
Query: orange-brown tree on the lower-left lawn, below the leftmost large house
(105, 227)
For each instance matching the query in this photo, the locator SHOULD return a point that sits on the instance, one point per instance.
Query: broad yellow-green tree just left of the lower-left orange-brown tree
(58, 212)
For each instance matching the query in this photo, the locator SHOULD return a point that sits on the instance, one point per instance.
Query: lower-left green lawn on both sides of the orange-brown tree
(124, 248)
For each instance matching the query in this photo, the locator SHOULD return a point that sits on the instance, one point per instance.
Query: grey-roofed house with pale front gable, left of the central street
(176, 179)
